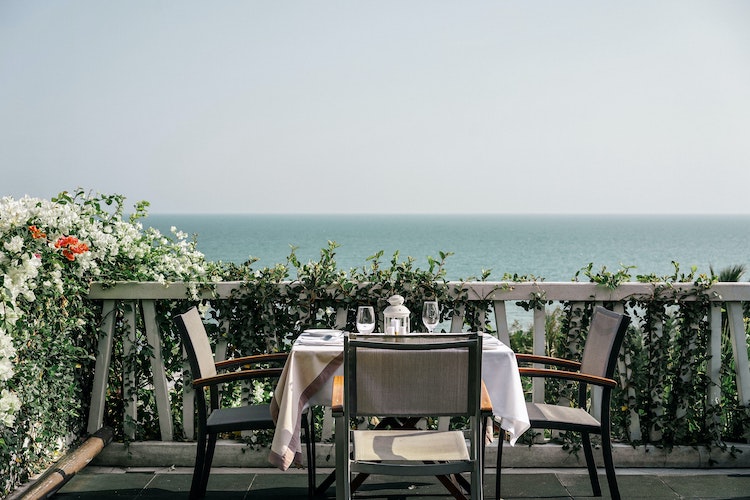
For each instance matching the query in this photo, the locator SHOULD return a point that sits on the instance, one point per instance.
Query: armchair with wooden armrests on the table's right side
(605, 336)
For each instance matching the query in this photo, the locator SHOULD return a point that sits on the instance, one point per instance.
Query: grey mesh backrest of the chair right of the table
(605, 336)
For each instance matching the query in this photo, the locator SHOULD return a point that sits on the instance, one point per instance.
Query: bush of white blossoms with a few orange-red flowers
(50, 251)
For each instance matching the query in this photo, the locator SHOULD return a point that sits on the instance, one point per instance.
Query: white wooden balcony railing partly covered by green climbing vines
(142, 297)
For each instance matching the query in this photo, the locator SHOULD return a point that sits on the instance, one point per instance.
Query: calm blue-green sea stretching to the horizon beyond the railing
(550, 247)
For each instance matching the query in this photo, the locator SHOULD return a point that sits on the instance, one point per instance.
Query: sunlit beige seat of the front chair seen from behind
(395, 445)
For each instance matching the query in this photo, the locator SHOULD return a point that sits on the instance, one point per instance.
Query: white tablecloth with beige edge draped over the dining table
(307, 380)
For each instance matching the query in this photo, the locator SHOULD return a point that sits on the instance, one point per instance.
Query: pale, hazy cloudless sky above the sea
(419, 106)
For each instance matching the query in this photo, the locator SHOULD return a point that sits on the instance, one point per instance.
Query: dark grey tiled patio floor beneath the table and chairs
(266, 483)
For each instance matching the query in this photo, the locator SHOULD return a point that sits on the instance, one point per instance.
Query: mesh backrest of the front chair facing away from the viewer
(412, 375)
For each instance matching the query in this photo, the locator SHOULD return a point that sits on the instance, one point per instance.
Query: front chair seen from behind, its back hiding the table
(400, 378)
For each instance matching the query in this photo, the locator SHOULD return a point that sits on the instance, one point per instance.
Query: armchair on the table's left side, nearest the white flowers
(212, 418)
